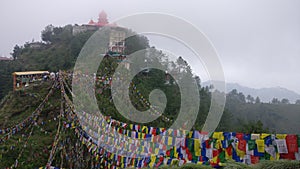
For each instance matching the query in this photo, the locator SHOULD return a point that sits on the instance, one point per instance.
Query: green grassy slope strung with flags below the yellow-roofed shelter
(30, 147)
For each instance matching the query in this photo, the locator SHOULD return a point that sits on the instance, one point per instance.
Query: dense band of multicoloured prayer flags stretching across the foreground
(177, 146)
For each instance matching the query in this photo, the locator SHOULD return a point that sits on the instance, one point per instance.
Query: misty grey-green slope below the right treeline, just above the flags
(278, 118)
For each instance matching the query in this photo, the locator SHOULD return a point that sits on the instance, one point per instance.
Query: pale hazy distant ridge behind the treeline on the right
(265, 94)
